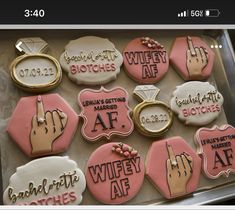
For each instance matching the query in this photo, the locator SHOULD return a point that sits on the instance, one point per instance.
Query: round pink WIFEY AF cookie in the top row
(146, 60)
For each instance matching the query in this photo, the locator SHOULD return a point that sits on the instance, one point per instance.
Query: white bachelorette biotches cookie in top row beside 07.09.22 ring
(91, 60)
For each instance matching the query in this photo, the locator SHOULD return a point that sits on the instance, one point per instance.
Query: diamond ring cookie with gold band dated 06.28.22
(152, 118)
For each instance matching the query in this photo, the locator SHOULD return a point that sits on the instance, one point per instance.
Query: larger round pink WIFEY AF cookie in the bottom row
(114, 173)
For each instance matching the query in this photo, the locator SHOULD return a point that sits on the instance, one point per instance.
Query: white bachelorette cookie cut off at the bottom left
(46, 181)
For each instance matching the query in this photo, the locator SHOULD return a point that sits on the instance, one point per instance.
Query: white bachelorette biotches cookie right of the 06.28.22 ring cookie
(197, 103)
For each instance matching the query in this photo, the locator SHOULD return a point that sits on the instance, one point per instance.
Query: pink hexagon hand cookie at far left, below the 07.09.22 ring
(42, 125)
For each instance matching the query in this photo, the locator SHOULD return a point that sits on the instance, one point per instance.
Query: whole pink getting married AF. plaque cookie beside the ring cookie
(105, 113)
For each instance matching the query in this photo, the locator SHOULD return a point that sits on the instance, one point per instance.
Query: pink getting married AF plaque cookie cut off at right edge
(216, 145)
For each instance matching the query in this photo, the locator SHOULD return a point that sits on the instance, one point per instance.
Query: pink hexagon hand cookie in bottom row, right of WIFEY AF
(173, 167)
